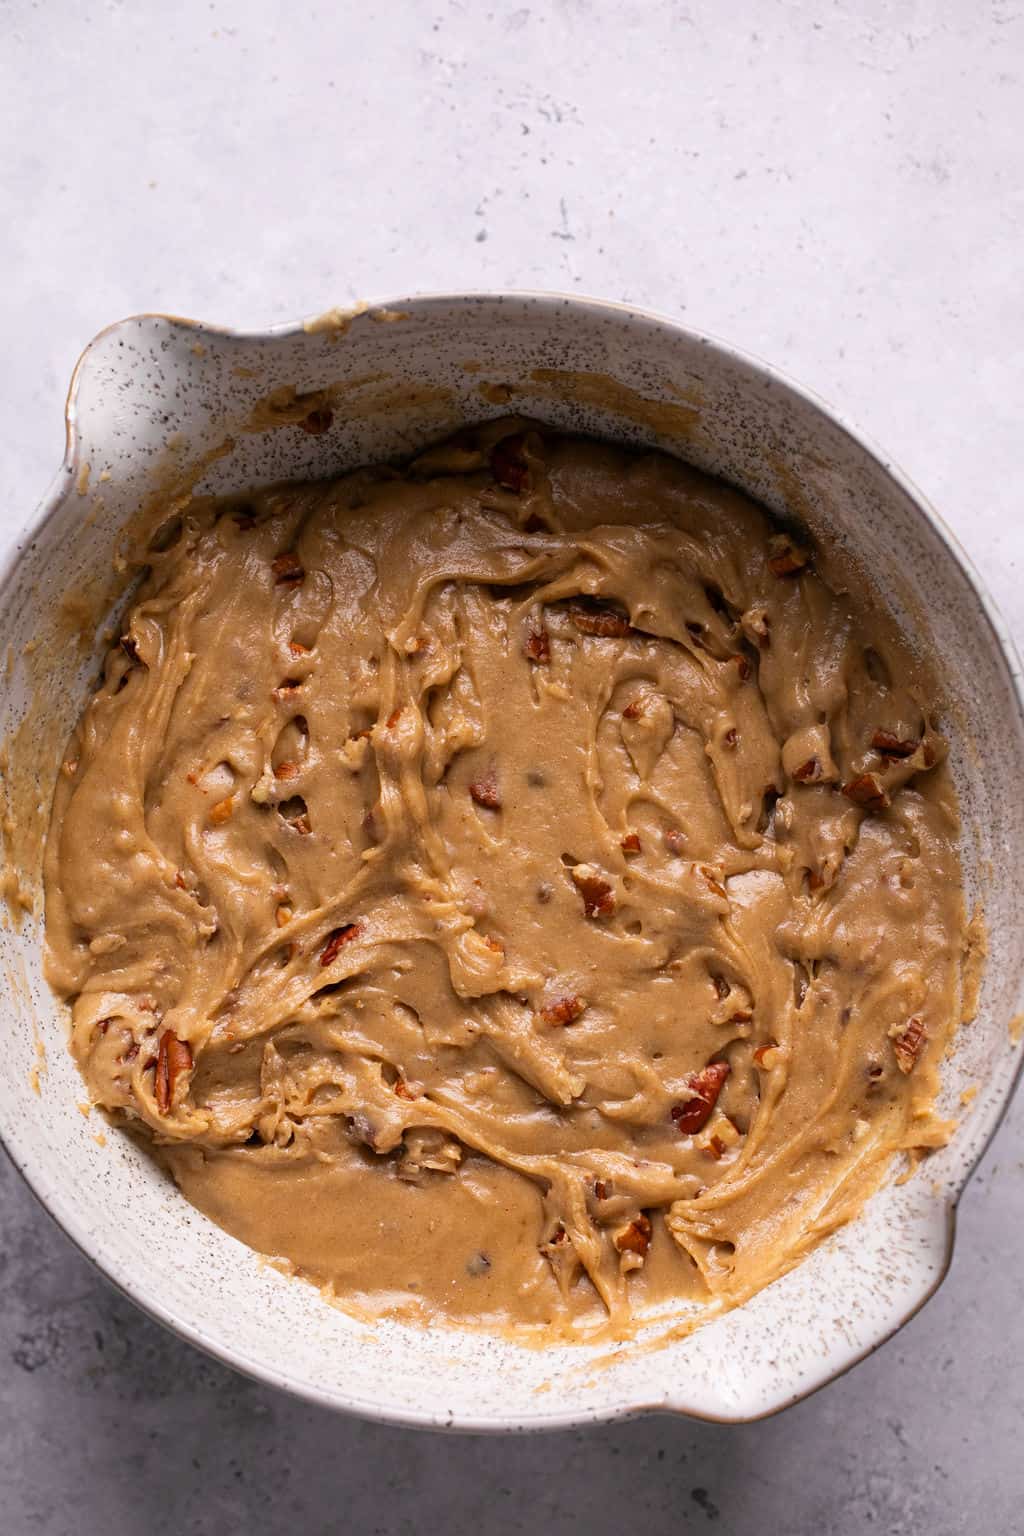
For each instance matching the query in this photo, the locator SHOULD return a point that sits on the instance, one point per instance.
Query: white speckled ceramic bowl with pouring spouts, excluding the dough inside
(150, 399)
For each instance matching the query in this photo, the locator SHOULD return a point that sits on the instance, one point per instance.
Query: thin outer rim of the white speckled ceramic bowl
(64, 1211)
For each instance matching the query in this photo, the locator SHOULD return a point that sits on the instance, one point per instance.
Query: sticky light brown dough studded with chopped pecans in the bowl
(517, 890)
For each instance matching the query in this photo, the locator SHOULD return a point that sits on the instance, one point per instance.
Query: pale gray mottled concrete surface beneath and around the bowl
(833, 185)
